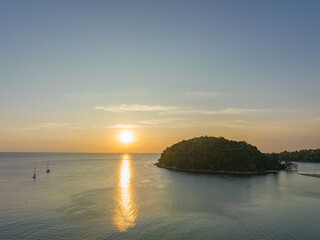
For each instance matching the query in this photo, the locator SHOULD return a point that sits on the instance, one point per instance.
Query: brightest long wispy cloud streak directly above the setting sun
(134, 108)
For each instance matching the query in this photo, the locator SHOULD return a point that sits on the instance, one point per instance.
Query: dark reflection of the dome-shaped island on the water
(217, 195)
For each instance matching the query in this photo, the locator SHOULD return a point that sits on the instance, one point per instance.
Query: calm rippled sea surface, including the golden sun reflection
(124, 196)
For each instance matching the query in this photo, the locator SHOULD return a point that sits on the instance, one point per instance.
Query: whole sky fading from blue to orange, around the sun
(75, 74)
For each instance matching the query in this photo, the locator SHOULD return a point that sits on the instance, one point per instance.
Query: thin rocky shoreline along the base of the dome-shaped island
(214, 172)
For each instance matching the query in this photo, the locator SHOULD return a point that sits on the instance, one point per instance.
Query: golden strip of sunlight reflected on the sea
(125, 210)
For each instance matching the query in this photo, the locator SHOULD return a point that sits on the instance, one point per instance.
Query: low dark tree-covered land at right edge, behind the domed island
(297, 156)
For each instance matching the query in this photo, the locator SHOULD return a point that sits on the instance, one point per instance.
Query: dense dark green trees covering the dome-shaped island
(217, 154)
